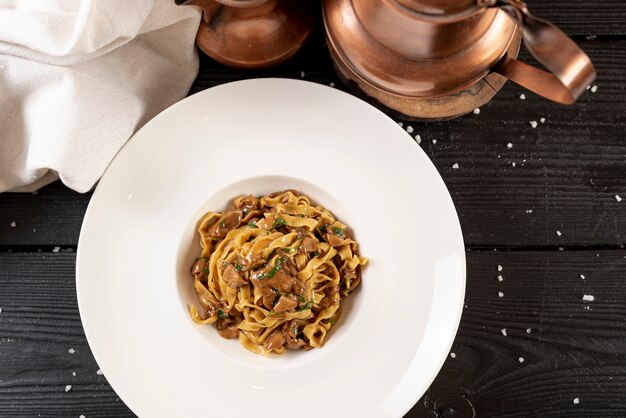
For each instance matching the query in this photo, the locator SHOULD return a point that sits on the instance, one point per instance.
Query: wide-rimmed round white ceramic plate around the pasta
(257, 136)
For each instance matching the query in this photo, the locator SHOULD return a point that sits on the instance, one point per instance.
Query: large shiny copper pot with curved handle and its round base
(436, 59)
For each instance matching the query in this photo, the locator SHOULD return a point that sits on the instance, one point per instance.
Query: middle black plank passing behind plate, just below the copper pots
(568, 170)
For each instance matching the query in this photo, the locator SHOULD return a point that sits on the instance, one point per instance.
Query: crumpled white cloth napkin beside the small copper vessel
(79, 77)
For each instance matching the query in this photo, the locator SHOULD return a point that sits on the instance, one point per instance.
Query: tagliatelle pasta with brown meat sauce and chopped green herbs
(273, 272)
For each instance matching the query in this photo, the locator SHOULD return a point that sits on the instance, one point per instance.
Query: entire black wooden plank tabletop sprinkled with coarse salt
(546, 211)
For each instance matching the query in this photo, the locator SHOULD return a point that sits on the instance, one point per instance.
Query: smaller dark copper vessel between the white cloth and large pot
(253, 33)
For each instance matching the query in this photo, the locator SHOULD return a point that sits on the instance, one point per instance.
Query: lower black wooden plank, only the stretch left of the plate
(42, 344)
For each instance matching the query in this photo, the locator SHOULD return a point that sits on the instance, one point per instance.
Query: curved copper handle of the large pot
(570, 69)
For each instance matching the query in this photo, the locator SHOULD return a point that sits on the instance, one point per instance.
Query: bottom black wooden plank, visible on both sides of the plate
(575, 349)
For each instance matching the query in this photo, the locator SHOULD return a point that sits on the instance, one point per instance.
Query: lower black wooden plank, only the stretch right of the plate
(574, 350)
